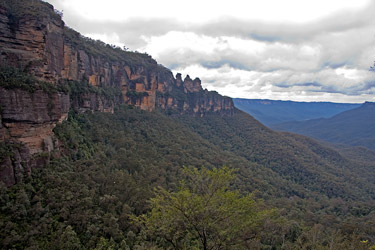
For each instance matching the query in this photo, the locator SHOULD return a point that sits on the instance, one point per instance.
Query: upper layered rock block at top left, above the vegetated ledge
(33, 42)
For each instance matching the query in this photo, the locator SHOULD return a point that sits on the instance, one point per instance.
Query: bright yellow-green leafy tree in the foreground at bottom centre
(203, 214)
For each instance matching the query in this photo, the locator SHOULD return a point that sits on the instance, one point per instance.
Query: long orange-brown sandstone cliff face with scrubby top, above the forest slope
(33, 38)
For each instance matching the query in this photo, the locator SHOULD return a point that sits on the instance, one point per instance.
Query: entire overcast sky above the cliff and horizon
(316, 50)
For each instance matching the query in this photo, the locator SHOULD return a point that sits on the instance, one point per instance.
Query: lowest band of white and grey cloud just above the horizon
(286, 84)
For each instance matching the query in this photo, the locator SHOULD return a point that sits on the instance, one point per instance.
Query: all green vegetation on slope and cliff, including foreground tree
(161, 180)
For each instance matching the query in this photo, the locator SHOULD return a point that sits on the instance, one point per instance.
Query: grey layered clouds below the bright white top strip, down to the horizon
(325, 59)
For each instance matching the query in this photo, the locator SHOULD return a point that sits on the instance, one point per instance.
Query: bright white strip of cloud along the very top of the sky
(197, 11)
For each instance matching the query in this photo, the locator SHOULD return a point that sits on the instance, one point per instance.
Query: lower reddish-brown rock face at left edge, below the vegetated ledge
(27, 121)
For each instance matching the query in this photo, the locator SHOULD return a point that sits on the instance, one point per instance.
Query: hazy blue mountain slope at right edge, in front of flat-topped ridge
(354, 127)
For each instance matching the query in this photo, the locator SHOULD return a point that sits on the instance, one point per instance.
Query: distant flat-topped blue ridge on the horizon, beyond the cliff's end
(271, 112)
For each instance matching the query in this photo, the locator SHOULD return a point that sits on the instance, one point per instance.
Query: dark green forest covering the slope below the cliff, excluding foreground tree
(108, 166)
